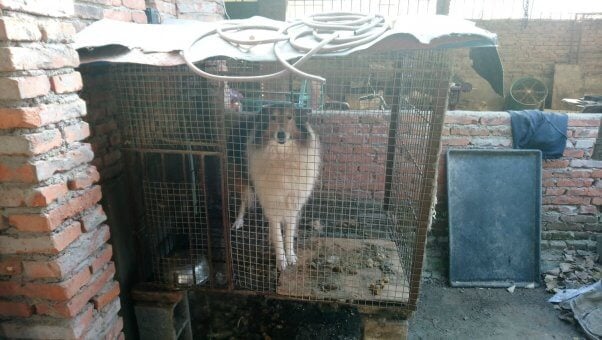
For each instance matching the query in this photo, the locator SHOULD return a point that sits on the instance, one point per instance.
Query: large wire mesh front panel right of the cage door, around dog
(361, 232)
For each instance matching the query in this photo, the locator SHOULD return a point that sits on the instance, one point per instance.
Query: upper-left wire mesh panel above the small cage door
(167, 108)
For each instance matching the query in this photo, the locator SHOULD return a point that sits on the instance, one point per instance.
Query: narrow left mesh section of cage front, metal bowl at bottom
(173, 131)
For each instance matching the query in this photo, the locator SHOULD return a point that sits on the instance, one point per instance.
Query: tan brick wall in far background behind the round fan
(542, 49)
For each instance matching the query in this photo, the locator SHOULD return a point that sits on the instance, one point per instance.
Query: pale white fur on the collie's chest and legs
(283, 177)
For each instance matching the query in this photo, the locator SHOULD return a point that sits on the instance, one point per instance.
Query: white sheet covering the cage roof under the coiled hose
(117, 41)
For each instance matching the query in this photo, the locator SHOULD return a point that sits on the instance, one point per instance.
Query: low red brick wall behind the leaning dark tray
(572, 185)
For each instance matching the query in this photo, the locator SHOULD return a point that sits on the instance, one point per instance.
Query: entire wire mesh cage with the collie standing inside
(288, 187)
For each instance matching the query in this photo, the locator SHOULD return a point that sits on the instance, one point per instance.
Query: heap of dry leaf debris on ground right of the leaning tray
(579, 268)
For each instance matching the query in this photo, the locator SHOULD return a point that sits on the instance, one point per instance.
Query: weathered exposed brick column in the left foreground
(56, 273)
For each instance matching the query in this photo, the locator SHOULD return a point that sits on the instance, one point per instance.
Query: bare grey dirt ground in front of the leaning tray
(475, 313)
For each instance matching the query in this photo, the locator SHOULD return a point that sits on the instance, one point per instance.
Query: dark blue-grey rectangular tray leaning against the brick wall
(494, 205)
